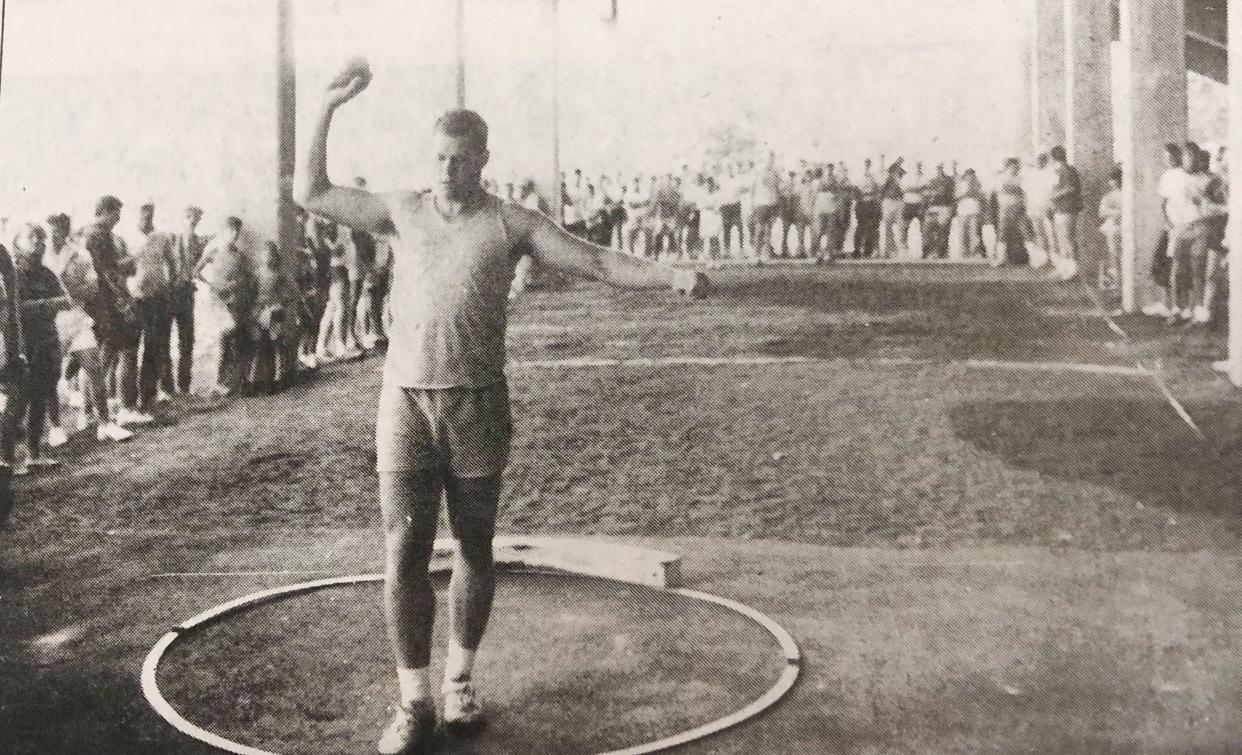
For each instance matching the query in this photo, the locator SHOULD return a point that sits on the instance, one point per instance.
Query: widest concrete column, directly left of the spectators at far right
(1153, 114)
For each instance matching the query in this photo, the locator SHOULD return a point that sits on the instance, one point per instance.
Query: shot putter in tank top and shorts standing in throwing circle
(444, 423)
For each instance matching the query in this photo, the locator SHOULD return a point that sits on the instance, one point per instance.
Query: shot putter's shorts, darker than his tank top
(466, 432)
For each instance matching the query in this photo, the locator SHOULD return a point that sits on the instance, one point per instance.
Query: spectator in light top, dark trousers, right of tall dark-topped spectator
(151, 286)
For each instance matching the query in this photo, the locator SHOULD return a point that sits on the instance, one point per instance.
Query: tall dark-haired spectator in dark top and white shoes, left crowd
(114, 310)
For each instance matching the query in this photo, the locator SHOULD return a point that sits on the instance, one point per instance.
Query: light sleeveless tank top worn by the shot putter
(450, 295)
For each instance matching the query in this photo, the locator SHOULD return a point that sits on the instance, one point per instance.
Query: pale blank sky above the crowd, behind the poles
(172, 101)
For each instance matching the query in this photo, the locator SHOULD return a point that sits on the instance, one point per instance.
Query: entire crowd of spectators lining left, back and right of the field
(93, 315)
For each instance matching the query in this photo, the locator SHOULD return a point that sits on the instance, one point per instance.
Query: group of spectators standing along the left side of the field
(107, 322)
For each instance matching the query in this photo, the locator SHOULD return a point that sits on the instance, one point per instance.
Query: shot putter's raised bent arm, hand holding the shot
(353, 208)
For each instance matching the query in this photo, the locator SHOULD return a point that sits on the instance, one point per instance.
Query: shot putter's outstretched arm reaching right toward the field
(557, 249)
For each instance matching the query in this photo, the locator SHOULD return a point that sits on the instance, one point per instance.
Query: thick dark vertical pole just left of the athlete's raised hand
(286, 126)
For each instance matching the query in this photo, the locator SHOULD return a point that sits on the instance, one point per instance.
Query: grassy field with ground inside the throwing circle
(976, 557)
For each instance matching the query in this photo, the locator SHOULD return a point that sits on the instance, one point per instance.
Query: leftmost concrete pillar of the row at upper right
(1048, 74)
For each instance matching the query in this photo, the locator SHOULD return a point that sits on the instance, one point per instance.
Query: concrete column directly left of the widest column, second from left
(1090, 114)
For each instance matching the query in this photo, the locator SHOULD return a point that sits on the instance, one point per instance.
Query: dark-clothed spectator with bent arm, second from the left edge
(42, 299)
